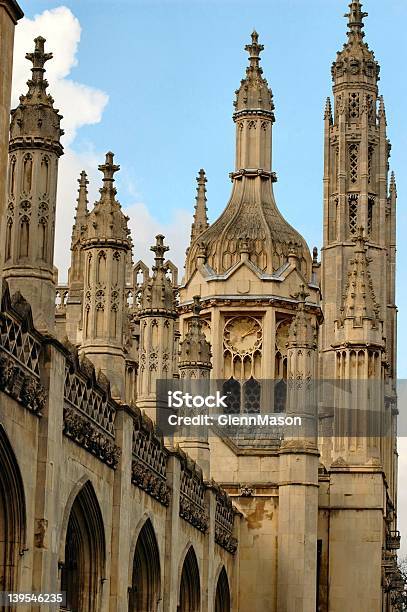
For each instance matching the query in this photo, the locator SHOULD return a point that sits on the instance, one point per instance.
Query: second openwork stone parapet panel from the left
(89, 411)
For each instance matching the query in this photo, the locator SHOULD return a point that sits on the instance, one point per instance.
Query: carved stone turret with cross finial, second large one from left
(105, 243)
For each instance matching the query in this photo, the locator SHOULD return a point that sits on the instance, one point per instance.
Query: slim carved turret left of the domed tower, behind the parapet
(158, 337)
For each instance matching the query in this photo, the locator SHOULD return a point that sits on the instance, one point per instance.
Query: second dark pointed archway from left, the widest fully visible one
(83, 568)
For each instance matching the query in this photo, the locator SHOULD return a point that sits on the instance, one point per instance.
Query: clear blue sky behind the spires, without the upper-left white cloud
(170, 69)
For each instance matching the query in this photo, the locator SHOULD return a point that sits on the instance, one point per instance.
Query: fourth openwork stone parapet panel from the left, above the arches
(192, 505)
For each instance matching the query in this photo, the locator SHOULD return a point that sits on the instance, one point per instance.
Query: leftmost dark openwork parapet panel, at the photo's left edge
(20, 350)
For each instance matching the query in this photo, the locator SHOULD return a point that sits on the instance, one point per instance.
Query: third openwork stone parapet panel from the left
(149, 462)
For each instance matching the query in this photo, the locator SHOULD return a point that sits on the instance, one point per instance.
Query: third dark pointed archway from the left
(145, 591)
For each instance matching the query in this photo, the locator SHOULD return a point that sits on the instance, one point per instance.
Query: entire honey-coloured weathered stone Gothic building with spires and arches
(94, 501)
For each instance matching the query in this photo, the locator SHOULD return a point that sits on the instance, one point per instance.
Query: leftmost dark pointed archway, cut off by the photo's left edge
(12, 516)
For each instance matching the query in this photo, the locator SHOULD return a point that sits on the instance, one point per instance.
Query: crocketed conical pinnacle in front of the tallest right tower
(359, 298)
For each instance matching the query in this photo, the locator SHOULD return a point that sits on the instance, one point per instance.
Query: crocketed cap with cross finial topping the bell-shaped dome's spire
(254, 92)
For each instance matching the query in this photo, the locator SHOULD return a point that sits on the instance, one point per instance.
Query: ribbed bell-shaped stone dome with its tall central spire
(251, 220)
